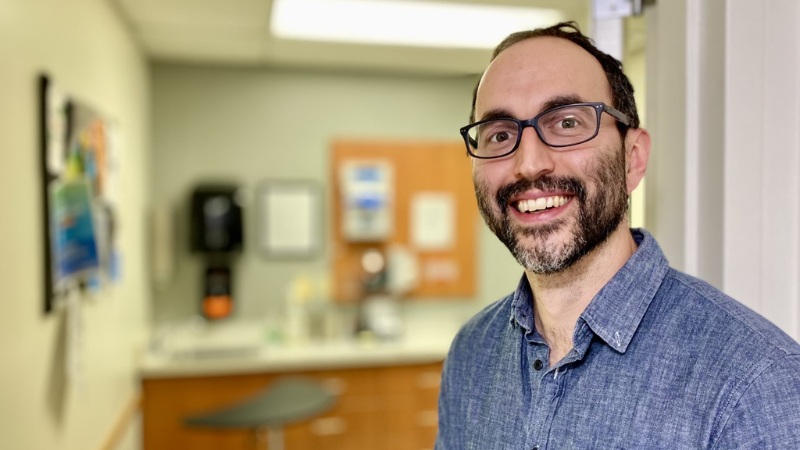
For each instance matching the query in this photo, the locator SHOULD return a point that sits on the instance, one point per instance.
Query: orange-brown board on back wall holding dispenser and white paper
(419, 167)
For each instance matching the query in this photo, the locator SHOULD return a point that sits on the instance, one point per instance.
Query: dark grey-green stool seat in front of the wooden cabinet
(286, 401)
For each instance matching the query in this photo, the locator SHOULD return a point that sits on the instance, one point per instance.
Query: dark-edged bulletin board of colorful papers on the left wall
(80, 165)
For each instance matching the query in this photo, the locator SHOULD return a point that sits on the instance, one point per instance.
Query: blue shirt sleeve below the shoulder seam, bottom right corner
(767, 415)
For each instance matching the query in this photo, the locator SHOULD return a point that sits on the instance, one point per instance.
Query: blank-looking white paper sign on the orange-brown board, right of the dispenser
(433, 221)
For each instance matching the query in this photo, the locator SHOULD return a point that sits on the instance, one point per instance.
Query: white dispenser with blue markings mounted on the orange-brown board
(367, 189)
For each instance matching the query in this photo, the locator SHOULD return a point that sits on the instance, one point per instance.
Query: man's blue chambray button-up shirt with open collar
(659, 360)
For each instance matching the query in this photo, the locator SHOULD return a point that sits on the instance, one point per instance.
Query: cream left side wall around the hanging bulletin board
(88, 51)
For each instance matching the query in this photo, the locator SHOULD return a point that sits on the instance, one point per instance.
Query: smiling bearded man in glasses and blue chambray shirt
(602, 345)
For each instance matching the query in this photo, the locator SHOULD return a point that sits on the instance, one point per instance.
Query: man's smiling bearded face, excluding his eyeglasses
(586, 183)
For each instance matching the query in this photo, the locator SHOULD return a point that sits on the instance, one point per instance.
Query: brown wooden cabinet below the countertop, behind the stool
(386, 408)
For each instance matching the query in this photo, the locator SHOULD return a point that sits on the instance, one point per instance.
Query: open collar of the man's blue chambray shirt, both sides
(617, 310)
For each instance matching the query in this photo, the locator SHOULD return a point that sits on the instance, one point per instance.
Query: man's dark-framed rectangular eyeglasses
(562, 126)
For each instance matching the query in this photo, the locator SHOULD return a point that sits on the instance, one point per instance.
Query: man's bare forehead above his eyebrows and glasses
(525, 76)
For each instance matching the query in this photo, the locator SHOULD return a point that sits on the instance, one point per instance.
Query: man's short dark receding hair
(621, 88)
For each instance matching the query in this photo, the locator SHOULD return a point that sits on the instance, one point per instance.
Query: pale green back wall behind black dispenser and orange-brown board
(252, 125)
